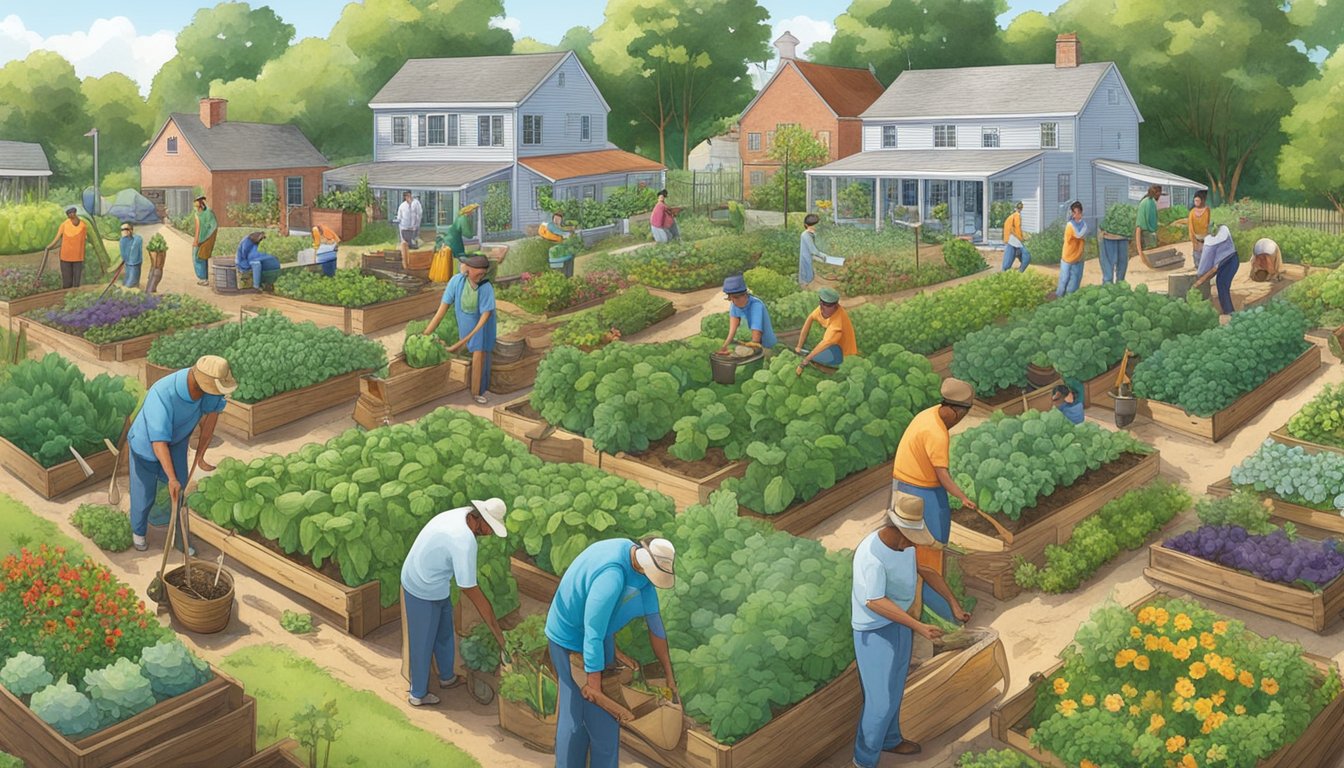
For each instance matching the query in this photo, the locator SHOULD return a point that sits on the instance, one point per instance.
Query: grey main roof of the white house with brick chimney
(993, 92)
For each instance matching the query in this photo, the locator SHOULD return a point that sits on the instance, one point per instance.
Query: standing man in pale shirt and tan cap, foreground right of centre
(884, 615)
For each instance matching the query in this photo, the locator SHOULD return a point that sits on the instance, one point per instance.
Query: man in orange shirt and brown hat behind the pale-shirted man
(921, 470)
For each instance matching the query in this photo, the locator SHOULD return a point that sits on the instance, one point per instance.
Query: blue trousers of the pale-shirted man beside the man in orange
(884, 665)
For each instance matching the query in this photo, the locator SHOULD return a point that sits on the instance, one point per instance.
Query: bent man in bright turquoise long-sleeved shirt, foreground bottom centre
(592, 598)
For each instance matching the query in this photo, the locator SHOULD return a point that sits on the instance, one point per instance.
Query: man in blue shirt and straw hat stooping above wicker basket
(174, 407)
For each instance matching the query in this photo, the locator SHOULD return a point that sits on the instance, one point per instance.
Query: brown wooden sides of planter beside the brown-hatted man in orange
(989, 564)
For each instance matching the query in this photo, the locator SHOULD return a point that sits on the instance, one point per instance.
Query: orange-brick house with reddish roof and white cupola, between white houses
(822, 99)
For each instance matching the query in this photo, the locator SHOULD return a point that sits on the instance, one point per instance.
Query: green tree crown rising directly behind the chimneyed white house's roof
(896, 36)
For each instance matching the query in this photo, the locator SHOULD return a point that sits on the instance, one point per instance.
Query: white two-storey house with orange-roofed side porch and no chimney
(494, 130)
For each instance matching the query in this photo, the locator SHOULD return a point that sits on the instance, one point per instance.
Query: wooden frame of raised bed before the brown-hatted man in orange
(989, 566)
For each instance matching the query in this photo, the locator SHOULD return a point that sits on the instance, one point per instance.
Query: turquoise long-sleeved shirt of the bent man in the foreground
(593, 595)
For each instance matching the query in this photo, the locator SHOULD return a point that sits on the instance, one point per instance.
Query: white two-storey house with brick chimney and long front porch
(1045, 135)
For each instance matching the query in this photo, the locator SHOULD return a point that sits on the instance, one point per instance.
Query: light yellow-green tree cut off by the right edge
(1312, 159)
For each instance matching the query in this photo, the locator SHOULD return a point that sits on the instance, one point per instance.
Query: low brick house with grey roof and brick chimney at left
(232, 163)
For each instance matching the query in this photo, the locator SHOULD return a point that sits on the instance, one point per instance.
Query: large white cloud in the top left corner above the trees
(110, 45)
